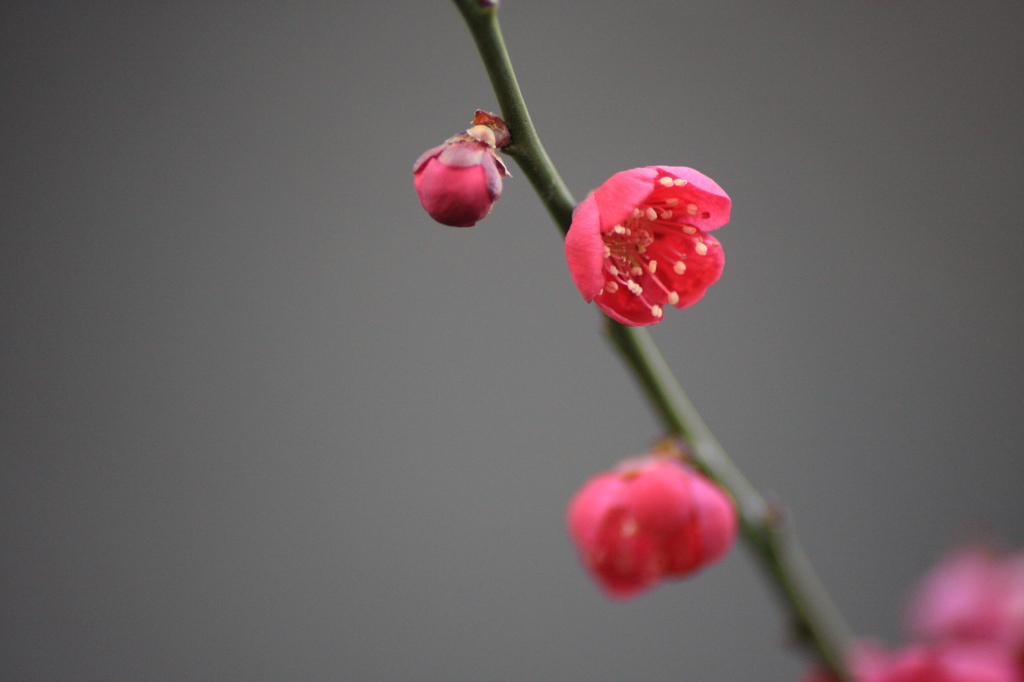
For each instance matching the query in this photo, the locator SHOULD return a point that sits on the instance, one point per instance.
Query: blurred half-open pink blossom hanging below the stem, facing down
(648, 520)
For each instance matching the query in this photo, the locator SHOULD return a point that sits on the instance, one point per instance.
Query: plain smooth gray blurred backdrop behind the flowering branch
(264, 420)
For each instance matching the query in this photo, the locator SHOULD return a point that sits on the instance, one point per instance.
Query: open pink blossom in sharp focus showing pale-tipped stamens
(639, 242)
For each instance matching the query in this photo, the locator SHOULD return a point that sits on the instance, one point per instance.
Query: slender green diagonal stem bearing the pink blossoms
(765, 528)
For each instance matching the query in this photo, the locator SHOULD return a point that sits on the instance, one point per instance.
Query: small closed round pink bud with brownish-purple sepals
(459, 182)
